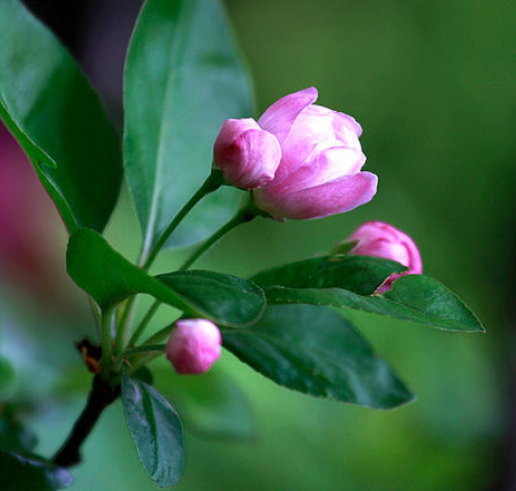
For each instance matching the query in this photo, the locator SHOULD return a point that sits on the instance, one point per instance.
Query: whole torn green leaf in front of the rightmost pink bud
(351, 281)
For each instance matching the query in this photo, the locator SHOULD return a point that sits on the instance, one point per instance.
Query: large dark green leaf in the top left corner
(52, 110)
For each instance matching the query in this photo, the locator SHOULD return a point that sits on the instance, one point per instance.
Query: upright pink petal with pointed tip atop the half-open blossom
(279, 118)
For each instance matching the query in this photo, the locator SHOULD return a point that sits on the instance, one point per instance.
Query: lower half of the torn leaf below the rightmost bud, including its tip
(414, 298)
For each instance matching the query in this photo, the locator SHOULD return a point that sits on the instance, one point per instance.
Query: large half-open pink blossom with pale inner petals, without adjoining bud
(321, 160)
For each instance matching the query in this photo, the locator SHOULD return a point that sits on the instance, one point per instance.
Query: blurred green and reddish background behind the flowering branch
(433, 85)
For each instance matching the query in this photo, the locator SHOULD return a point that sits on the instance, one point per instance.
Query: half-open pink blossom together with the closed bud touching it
(302, 160)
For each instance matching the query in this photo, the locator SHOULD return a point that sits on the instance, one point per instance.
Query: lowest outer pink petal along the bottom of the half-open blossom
(327, 199)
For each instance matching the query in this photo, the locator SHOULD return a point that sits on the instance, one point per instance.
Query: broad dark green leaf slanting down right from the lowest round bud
(315, 351)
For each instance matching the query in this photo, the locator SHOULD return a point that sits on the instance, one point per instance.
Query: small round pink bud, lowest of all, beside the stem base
(194, 346)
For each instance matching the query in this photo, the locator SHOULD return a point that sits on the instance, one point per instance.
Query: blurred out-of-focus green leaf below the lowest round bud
(212, 405)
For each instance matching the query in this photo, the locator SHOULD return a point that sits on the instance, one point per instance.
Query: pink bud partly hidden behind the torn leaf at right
(379, 239)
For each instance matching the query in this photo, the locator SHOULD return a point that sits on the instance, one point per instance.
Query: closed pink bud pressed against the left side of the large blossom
(247, 155)
